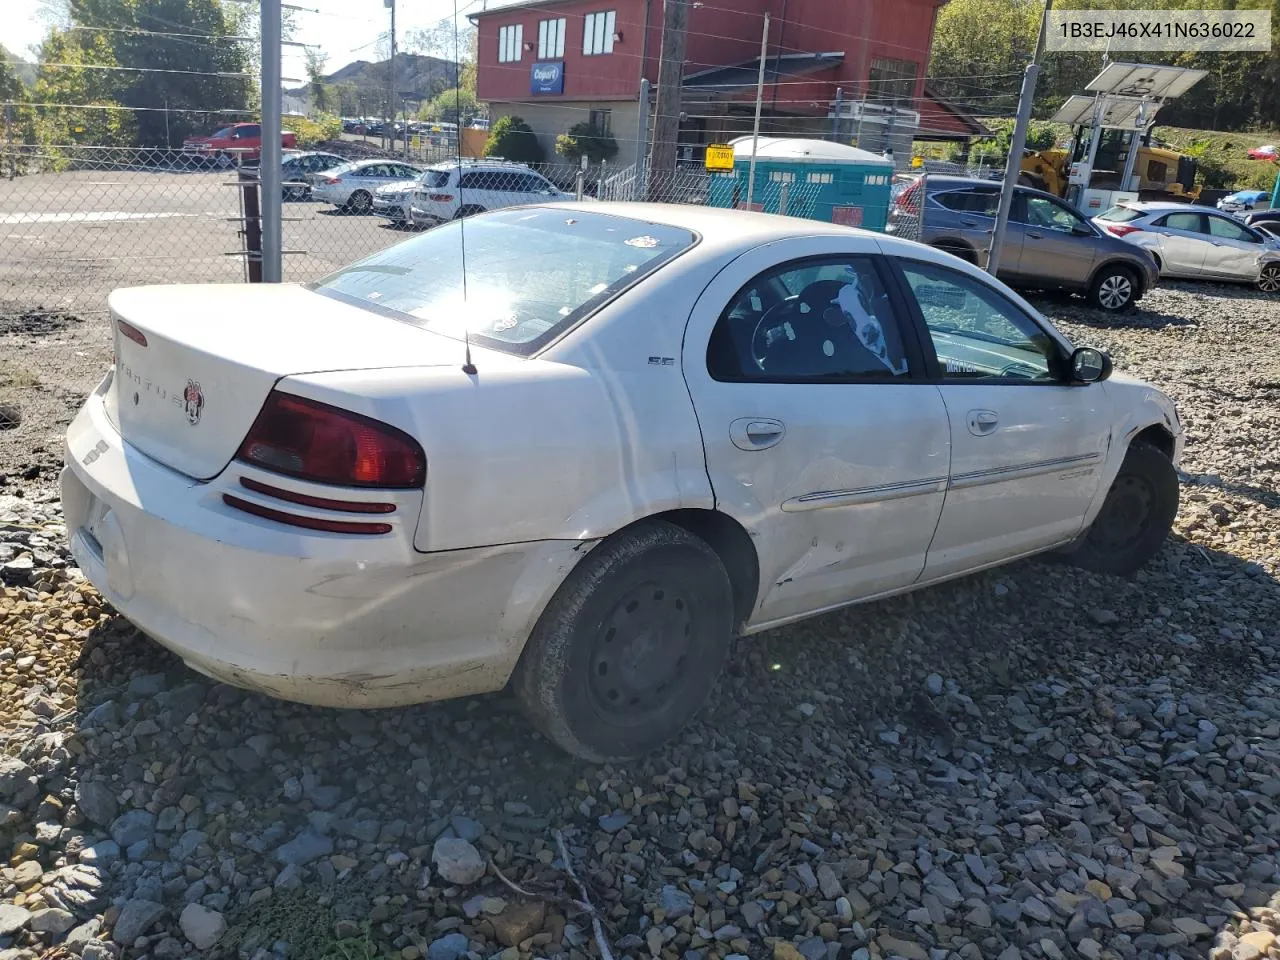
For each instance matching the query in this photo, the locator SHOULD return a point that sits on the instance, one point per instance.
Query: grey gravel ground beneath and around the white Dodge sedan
(1035, 762)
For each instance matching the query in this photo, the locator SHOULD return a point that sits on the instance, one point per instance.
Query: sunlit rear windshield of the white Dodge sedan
(531, 273)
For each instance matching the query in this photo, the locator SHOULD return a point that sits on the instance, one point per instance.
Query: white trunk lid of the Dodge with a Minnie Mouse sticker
(194, 364)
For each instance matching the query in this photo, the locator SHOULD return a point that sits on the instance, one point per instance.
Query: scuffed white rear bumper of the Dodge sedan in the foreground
(323, 619)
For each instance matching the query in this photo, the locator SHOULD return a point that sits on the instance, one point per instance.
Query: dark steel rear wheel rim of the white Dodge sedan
(642, 653)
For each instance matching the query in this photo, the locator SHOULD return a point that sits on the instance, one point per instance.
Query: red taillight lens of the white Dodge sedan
(313, 441)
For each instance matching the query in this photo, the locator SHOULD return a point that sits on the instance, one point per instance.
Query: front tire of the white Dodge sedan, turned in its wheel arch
(1136, 518)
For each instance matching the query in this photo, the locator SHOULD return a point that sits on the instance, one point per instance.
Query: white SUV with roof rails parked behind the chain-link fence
(450, 191)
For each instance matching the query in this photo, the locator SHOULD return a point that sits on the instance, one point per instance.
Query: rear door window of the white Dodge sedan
(815, 322)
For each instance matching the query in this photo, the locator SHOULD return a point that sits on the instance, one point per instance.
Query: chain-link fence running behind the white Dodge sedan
(77, 222)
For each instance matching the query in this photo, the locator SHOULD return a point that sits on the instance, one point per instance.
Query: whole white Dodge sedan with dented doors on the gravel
(587, 455)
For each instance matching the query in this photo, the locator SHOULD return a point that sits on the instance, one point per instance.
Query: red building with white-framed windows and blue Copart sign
(559, 62)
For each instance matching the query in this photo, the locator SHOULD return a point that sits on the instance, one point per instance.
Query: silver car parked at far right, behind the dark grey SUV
(1197, 243)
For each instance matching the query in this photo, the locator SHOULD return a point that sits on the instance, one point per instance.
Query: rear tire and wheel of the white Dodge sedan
(630, 646)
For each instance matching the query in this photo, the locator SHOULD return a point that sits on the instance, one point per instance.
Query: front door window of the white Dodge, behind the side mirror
(977, 333)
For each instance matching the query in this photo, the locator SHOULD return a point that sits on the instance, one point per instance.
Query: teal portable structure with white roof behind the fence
(811, 179)
